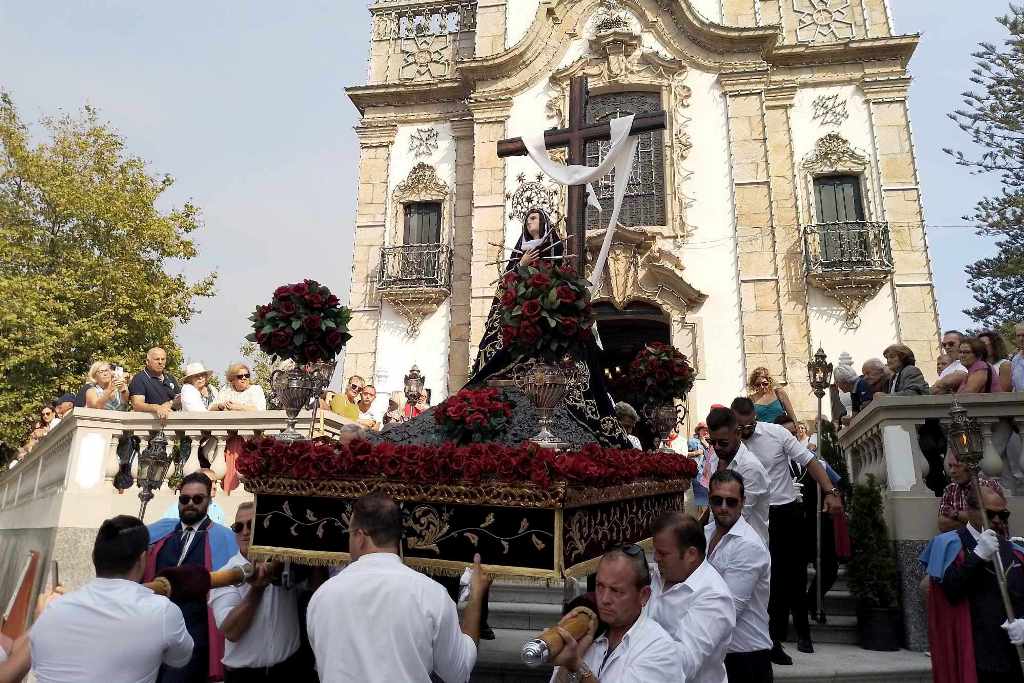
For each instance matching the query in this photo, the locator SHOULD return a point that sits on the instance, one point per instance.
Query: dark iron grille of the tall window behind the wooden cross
(645, 201)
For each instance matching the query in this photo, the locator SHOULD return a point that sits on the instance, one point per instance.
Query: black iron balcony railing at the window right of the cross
(847, 248)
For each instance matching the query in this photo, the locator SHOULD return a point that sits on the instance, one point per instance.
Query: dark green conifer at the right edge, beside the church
(995, 119)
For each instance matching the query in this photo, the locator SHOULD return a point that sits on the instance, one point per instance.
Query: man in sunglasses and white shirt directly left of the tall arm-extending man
(735, 456)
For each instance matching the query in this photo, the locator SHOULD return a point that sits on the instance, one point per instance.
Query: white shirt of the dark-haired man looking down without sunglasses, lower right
(700, 616)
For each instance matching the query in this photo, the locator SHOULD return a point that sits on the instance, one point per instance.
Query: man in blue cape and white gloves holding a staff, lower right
(970, 637)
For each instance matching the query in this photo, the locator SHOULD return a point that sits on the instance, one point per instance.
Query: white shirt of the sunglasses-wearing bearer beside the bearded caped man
(274, 634)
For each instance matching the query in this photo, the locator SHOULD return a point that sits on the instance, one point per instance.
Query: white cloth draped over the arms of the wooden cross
(621, 155)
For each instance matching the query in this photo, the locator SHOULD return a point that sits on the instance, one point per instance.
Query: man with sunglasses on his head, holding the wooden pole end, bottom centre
(635, 649)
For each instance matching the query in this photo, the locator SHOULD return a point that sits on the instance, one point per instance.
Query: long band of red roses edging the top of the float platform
(449, 463)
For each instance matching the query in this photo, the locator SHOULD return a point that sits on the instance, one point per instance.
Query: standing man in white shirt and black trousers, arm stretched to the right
(777, 449)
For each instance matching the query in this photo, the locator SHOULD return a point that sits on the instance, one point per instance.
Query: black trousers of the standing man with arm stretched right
(789, 572)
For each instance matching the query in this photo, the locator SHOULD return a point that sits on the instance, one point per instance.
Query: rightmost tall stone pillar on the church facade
(917, 314)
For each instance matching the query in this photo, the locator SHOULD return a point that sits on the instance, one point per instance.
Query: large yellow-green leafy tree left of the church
(86, 261)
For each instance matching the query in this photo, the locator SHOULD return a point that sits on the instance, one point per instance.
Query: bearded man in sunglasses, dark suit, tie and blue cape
(194, 539)
